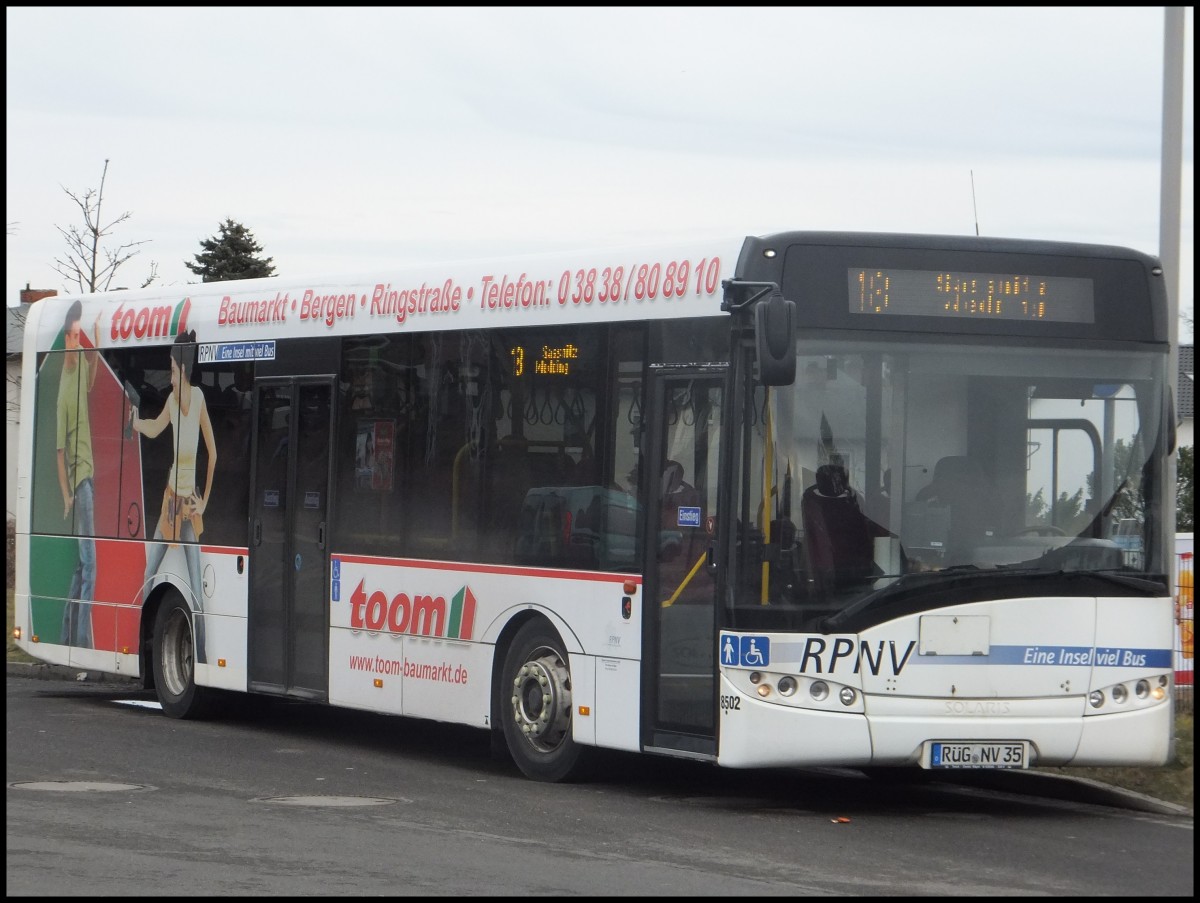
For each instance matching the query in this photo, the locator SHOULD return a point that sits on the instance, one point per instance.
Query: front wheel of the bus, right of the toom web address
(536, 707)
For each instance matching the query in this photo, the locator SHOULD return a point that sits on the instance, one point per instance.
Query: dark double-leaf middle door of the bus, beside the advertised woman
(289, 618)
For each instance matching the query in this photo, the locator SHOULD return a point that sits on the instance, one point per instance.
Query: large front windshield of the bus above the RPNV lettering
(892, 469)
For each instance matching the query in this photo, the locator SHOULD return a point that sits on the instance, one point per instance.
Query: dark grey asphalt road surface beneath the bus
(107, 797)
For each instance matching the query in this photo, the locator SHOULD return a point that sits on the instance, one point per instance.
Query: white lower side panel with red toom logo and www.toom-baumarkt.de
(417, 637)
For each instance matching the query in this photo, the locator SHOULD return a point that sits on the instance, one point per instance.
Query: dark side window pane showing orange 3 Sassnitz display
(562, 476)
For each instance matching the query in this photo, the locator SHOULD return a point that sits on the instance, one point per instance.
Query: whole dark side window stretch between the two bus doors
(503, 447)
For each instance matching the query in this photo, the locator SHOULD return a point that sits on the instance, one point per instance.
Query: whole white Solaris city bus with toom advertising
(809, 499)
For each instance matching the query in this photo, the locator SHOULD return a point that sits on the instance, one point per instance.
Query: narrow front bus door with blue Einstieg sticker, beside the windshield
(683, 434)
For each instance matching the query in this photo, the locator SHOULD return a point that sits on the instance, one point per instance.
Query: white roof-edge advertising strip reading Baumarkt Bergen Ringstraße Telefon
(239, 320)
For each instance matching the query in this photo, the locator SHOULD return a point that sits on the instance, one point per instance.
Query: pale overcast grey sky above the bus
(351, 139)
